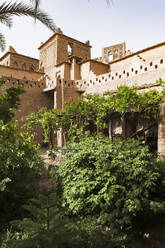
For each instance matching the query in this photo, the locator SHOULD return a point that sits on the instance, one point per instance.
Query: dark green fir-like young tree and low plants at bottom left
(48, 226)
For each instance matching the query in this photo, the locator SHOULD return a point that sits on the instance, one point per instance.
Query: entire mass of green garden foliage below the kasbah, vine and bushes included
(109, 190)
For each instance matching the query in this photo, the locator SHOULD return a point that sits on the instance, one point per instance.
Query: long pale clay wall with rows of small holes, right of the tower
(137, 74)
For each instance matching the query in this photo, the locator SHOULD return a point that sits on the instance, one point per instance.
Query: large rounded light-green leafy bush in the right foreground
(119, 182)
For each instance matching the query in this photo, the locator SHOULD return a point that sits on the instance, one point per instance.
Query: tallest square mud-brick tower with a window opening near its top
(60, 49)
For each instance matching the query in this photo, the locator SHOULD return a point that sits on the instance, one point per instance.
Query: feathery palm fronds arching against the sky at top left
(8, 10)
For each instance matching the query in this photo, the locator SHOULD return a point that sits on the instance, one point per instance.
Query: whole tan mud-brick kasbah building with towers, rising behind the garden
(65, 71)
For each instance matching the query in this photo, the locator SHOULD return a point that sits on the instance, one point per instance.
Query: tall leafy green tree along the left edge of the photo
(19, 162)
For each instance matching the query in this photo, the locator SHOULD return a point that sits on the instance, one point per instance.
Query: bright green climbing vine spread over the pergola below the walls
(92, 114)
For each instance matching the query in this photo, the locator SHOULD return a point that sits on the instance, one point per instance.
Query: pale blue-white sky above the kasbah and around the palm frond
(140, 23)
